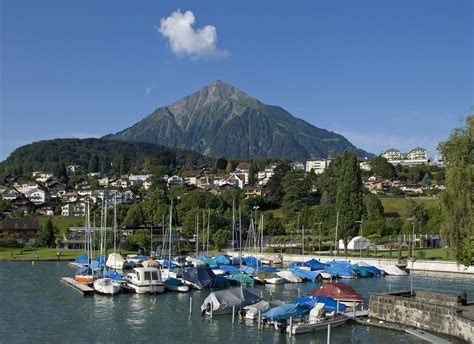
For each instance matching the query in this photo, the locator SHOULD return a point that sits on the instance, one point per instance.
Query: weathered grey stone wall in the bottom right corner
(420, 313)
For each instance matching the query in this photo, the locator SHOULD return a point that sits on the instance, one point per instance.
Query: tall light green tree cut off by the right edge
(456, 200)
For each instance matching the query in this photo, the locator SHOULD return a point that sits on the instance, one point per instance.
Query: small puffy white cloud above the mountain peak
(186, 41)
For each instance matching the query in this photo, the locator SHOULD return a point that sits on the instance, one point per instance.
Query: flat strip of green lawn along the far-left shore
(43, 254)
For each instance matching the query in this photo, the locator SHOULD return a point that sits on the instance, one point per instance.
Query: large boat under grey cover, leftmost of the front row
(224, 301)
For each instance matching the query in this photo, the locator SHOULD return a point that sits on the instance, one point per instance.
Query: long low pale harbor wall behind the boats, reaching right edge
(418, 265)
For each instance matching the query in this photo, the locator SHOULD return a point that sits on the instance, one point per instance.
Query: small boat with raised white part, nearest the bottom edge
(317, 321)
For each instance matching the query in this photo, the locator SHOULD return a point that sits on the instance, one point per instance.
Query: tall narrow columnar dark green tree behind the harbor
(349, 197)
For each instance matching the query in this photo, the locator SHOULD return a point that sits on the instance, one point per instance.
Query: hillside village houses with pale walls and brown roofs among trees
(43, 193)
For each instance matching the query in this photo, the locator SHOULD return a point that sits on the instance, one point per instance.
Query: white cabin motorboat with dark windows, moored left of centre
(145, 281)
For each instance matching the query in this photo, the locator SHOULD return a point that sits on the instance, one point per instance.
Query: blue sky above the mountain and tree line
(382, 73)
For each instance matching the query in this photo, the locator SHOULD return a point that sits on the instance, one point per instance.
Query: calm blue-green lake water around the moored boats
(36, 307)
